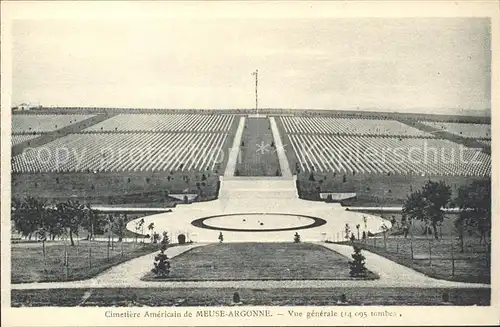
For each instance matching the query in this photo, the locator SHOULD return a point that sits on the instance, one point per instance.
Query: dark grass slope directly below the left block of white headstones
(115, 187)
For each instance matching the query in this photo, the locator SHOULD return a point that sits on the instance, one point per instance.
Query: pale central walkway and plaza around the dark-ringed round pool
(242, 199)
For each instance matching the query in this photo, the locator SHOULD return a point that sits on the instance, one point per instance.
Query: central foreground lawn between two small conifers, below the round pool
(259, 261)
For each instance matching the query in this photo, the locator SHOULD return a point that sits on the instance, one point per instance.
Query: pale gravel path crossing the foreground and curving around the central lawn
(128, 274)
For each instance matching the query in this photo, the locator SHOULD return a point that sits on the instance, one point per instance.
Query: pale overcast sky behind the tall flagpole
(406, 65)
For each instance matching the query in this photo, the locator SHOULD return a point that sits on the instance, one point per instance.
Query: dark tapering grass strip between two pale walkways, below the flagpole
(253, 161)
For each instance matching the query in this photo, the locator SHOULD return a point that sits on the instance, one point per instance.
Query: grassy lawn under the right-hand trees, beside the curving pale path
(470, 266)
